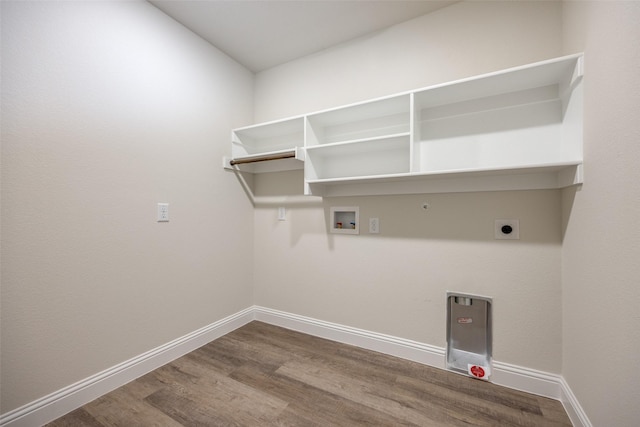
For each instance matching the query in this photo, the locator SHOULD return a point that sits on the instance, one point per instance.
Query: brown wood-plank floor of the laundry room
(263, 375)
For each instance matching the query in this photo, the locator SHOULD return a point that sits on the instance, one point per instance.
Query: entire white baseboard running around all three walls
(74, 396)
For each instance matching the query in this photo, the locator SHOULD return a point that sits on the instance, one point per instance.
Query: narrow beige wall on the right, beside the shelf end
(601, 248)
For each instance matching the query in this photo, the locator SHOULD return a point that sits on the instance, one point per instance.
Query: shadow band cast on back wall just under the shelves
(448, 216)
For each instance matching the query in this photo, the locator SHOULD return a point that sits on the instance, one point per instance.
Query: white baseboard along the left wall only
(61, 402)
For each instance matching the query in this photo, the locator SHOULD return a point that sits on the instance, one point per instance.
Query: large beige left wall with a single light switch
(107, 109)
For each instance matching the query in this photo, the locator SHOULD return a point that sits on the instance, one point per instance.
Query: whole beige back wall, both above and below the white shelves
(396, 282)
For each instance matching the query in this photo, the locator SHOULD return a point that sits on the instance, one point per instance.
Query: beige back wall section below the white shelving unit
(395, 282)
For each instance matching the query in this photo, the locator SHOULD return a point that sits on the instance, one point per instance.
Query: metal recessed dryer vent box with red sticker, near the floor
(469, 335)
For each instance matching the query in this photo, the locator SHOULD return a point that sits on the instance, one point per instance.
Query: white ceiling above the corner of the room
(261, 34)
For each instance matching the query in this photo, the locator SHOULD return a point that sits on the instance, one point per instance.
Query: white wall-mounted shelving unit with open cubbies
(519, 128)
